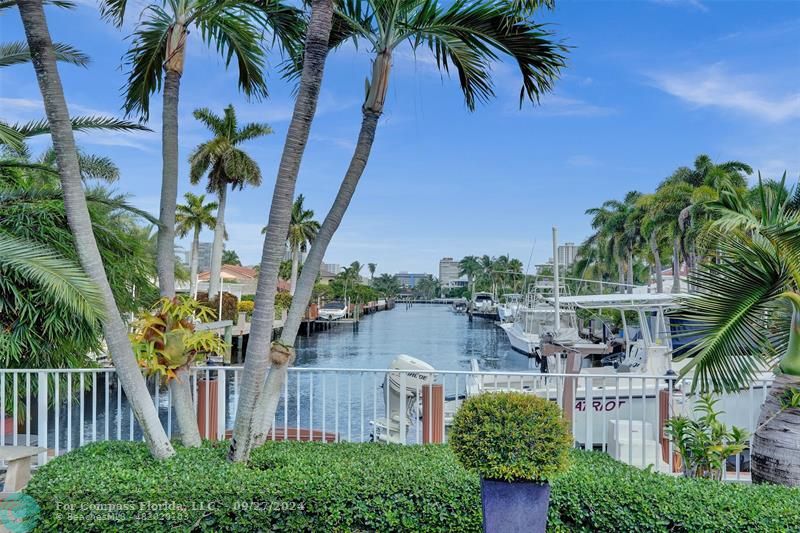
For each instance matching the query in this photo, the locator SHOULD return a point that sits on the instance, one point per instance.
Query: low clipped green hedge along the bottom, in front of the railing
(375, 487)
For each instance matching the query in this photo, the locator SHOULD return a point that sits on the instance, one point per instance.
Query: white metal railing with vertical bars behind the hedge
(618, 413)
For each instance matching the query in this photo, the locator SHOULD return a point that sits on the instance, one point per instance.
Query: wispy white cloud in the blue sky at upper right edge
(713, 86)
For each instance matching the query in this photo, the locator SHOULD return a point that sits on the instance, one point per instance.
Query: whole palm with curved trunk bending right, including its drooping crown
(468, 36)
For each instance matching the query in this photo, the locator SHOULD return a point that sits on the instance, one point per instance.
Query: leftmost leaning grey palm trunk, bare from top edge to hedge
(116, 335)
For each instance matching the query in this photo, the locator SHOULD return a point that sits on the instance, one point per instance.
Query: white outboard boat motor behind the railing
(416, 374)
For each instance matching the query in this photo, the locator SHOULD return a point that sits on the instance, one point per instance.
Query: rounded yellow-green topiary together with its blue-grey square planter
(516, 442)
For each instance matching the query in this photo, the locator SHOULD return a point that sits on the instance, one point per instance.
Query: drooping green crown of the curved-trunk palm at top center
(467, 36)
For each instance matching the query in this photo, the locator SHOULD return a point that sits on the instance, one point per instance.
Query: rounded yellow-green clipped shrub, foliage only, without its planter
(511, 436)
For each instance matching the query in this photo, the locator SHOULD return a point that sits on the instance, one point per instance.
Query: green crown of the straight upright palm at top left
(234, 28)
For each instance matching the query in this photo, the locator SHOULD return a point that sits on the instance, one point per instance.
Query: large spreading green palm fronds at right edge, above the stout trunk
(737, 322)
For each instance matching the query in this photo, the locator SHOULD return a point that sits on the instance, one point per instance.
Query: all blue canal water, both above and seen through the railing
(343, 403)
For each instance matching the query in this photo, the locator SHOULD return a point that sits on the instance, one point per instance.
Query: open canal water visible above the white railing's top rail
(433, 333)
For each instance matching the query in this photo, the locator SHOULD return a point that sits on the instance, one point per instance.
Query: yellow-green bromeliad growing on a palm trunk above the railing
(165, 340)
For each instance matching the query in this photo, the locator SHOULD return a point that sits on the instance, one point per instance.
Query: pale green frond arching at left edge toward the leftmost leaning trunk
(64, 280)
